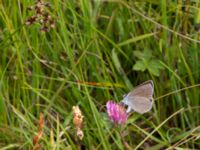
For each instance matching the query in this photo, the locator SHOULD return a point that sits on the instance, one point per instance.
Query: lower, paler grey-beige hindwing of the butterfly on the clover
(140, 104)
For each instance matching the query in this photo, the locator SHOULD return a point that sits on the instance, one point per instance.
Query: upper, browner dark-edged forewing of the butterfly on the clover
(144, 90)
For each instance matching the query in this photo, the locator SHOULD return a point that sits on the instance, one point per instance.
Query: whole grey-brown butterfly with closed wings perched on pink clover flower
(140, 99)
